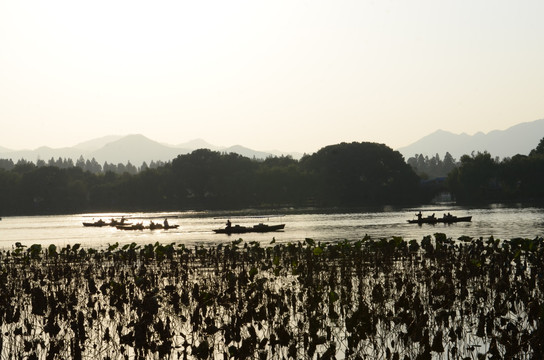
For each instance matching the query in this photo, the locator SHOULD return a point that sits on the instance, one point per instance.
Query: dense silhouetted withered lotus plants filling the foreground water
(434, 298)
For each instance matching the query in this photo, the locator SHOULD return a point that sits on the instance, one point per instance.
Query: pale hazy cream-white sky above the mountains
(290, 75)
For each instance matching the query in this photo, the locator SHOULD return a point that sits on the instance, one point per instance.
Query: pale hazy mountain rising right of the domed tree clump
(518, 139)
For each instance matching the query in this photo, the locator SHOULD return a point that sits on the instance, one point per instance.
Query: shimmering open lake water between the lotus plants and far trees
(501, 222)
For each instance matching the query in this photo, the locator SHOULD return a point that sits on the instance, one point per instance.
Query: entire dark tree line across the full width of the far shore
(342, 175)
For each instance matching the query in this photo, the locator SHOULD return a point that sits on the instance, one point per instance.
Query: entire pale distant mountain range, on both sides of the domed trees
(518, 139)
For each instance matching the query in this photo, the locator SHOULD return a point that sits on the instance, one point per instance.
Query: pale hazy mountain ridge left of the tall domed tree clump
(134, 148)
